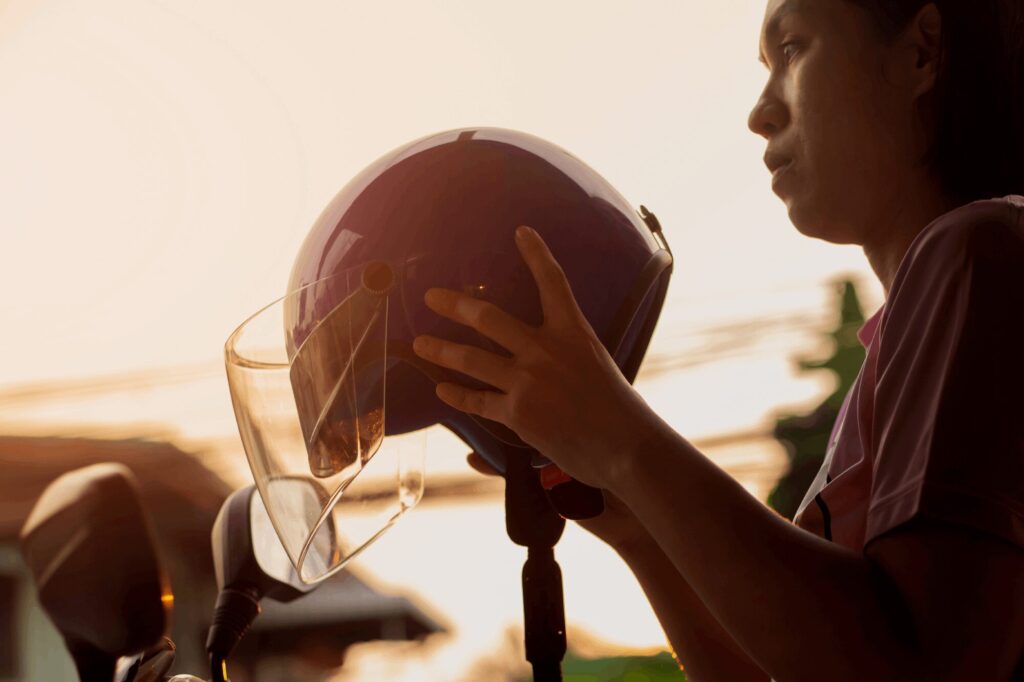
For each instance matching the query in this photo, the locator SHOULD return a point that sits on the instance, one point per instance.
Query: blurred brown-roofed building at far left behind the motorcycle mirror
(183, 498)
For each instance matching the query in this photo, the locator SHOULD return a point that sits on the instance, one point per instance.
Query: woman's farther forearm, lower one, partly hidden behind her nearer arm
(704, 649)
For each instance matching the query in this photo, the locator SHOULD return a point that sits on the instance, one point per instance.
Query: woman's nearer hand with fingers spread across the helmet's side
(561, 392)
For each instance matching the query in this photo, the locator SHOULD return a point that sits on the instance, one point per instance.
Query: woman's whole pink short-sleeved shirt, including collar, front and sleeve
(934, 424)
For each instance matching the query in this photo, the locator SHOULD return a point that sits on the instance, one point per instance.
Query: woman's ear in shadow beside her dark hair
(918, 53)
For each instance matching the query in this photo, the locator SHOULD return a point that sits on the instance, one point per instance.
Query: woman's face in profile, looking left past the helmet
(844, 135)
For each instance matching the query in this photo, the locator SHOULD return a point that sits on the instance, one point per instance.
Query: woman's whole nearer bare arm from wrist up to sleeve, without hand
(809, 610)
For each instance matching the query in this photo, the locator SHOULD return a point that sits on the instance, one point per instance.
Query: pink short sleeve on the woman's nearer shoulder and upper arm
(949, 423)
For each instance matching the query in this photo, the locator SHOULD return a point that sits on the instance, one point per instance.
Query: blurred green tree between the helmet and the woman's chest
(805, 437)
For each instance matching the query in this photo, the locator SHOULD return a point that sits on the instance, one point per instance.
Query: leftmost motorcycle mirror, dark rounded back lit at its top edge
(90, 546)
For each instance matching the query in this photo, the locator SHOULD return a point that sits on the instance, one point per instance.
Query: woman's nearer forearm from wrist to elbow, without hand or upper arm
(803, 608)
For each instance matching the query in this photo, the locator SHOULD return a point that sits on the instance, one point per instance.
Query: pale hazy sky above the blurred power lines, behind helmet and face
(162, 162)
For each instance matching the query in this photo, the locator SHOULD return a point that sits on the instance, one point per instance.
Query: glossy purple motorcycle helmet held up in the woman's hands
(442, 212)
